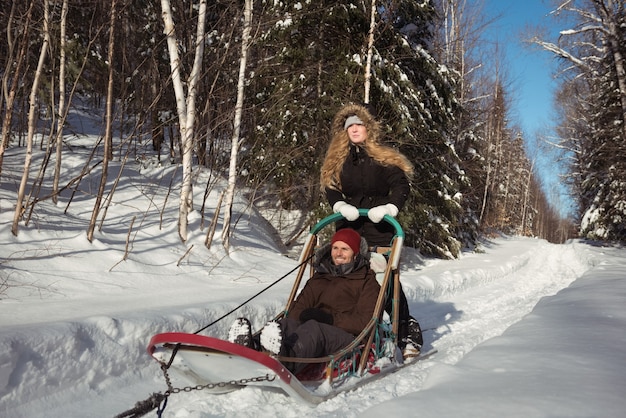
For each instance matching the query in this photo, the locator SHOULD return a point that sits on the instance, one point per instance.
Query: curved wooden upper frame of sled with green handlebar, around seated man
(367, 337)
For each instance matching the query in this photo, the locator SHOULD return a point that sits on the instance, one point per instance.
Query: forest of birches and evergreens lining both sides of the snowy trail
(248, 89)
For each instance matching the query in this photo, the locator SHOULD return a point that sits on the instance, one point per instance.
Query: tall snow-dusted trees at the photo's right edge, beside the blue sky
(593, 63)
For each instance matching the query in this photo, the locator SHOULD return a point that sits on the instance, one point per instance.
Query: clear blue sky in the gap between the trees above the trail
(531, 73)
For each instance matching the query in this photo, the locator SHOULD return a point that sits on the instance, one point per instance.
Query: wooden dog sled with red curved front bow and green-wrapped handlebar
(220, 366)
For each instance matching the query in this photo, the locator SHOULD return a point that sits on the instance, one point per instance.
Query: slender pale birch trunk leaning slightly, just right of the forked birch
(232, 171)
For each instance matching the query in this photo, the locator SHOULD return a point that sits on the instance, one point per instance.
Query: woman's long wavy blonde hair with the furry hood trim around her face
(339, 147)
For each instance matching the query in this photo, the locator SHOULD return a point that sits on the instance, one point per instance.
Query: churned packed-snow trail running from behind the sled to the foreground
(465, 303)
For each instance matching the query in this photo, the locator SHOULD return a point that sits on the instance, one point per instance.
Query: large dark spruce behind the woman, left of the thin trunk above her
(306, 64)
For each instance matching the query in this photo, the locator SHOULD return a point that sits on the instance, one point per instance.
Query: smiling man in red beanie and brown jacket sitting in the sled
(334, 306)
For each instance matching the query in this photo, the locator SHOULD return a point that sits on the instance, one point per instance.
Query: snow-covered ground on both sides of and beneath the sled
(523, 328)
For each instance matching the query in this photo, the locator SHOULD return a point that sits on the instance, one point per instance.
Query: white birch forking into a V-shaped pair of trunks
(185, 105)
